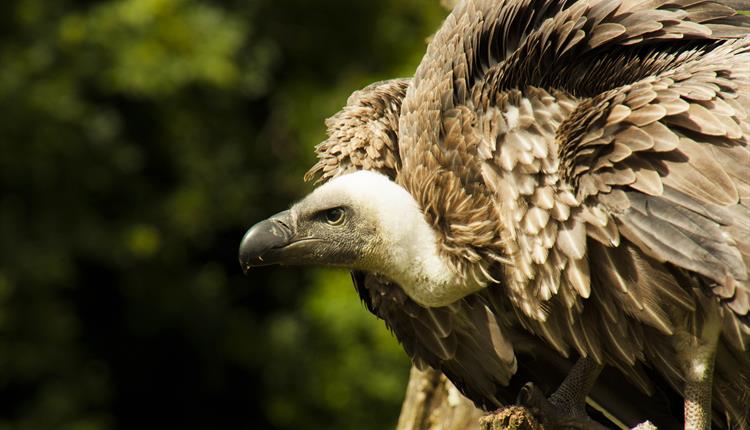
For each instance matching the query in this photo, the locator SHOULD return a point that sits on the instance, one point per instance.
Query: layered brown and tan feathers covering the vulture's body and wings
(588, 160)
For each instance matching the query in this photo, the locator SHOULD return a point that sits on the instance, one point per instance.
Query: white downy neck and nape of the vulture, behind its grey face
(409, 250)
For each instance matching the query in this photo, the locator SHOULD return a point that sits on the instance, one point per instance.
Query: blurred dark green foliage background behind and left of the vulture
(139, 139)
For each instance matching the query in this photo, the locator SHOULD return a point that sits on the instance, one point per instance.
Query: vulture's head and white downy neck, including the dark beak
(361, 221)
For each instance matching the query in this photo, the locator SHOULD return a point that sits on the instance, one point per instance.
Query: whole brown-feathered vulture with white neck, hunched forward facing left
(560, 182)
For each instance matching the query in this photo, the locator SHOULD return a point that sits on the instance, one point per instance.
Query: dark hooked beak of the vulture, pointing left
(273, 241)
